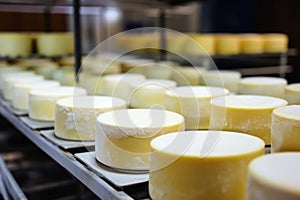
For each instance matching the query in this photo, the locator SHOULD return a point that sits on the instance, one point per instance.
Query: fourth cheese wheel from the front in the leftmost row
(42, 101)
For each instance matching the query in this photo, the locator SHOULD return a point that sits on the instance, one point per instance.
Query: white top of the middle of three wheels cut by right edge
(291, 112)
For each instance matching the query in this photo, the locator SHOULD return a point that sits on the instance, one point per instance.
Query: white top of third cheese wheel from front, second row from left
(197, 92)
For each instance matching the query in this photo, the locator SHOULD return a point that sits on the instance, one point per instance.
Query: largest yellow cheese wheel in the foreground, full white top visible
(201, 165)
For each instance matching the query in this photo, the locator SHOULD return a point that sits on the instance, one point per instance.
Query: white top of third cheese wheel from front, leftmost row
(97, 102)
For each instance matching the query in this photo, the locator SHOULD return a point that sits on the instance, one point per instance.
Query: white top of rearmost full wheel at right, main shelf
(263, 80)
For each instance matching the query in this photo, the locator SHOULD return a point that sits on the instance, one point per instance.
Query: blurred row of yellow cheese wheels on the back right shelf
(206, 44)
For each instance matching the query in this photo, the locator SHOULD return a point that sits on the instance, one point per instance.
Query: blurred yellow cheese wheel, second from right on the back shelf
(252, 43)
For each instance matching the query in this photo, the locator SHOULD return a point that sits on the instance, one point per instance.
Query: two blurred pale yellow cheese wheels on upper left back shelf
(15, 44)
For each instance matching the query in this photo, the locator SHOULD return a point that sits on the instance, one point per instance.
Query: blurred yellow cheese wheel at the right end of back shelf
(276, 43)
